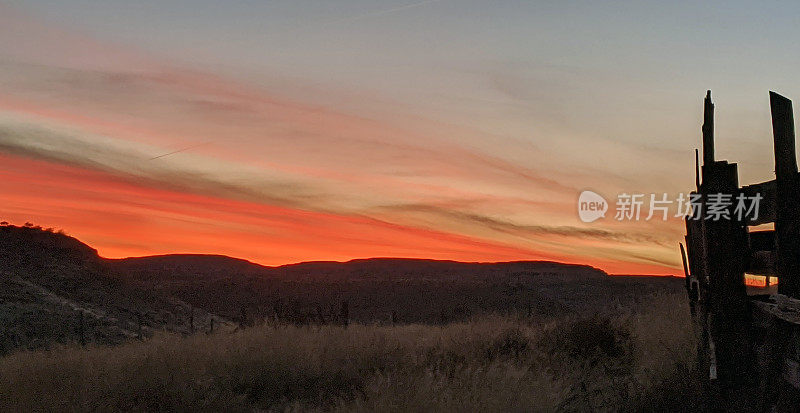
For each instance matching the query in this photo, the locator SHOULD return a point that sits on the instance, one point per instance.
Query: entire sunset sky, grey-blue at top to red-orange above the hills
(287, 131)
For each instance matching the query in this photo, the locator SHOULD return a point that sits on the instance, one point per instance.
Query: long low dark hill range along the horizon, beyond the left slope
(415, 290)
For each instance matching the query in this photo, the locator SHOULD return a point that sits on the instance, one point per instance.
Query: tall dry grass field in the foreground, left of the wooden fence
(637, 359)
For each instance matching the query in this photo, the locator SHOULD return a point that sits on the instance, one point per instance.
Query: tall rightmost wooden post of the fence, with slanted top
(787, 221)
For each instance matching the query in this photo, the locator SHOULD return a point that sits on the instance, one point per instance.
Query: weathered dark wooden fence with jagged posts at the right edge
(749, 343)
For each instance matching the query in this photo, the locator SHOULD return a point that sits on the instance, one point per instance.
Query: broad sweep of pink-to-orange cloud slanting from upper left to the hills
(277, 180)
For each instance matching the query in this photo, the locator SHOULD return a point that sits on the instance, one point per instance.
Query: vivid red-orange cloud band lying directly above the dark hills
(121, 219)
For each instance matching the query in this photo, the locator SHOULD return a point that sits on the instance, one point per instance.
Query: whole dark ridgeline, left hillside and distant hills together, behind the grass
(56, 289)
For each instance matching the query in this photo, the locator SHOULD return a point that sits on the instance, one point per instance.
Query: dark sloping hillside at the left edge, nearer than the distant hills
(52, 286)
